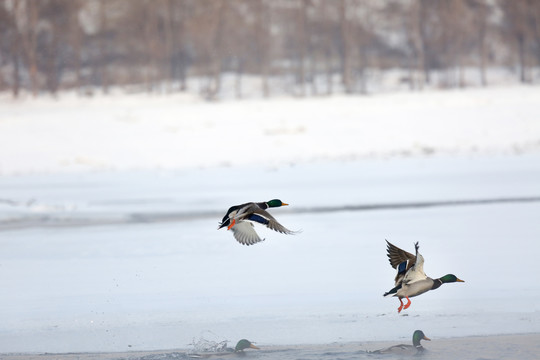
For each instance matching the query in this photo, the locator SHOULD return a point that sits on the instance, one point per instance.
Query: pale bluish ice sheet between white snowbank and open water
(73, 280)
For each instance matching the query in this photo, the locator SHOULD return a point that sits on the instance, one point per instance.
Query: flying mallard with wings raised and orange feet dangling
(411, 280)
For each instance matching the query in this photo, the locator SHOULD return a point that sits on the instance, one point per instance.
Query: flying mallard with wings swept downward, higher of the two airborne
(240, 219)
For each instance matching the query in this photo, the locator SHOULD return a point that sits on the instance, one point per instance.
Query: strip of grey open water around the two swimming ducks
(501, 347)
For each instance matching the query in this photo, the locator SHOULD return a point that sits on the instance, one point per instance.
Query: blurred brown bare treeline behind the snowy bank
(313, 46)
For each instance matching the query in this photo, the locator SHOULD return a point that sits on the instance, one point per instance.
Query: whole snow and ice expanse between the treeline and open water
(121, 252)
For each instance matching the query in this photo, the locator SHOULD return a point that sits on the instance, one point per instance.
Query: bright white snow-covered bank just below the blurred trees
(174, 132)
